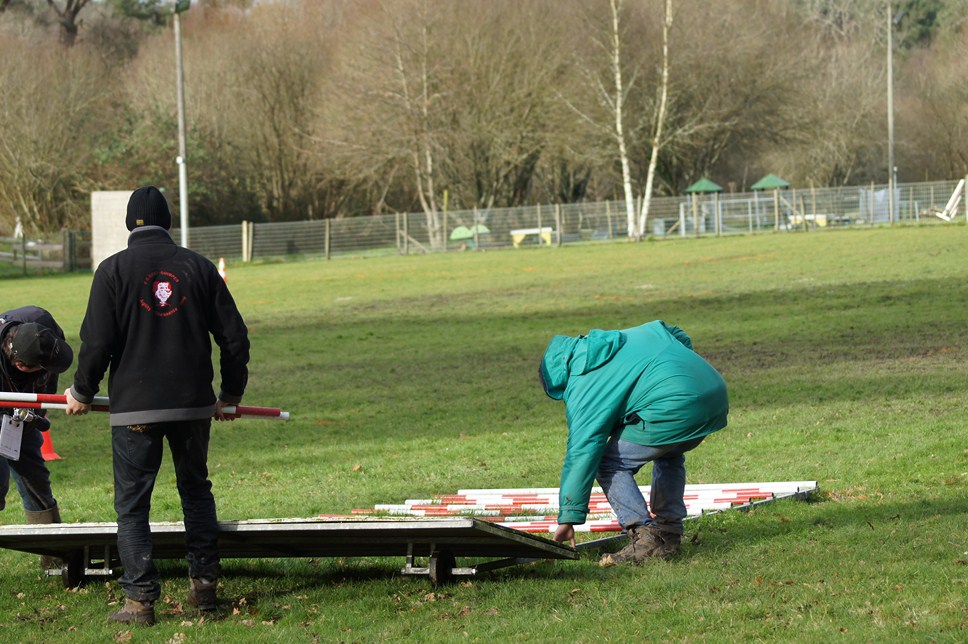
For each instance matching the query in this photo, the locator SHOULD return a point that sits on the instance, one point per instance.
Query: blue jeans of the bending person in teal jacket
(616, 475)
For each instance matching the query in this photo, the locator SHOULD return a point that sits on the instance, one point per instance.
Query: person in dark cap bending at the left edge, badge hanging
(33, 352)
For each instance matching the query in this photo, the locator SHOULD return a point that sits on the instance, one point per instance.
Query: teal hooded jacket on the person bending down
(645, 385)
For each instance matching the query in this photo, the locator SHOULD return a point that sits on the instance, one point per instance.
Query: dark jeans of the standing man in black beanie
(137, 458)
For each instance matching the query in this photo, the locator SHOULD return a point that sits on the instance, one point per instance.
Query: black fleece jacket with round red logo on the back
(151, 315)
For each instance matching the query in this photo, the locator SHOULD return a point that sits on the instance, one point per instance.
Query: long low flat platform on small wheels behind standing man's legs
(90, 549)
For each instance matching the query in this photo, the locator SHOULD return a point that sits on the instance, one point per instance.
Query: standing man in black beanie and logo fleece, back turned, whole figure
(152, 313)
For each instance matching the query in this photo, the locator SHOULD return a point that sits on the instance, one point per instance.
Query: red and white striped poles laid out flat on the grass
(535, 509)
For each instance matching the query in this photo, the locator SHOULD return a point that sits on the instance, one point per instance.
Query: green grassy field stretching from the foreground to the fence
(845, 354)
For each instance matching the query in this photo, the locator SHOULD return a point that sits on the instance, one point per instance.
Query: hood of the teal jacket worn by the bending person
(567, 356)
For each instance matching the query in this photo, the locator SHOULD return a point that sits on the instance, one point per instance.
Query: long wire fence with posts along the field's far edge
(697, 215)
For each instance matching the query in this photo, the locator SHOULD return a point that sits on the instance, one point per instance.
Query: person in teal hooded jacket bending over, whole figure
(632, 397)
